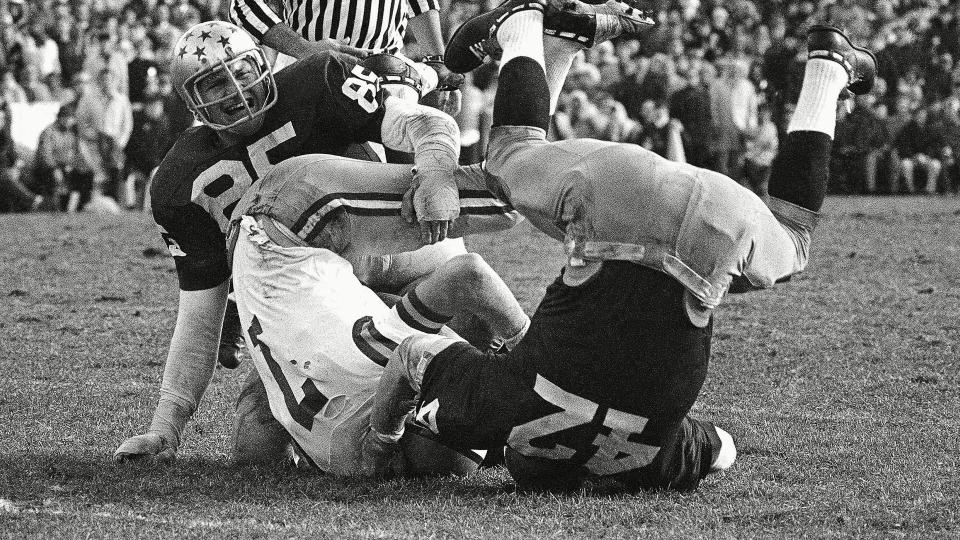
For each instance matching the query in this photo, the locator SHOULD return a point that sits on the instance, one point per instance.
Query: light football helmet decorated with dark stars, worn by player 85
(210, 49)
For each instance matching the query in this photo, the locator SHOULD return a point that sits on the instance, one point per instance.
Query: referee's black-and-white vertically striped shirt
(369, 24)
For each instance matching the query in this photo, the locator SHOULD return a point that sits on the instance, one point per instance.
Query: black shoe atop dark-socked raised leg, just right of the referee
(475, 39)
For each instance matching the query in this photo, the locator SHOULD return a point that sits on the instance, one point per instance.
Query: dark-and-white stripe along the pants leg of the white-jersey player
(311, 223)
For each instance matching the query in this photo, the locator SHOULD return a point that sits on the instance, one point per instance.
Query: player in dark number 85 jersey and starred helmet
(251, 121)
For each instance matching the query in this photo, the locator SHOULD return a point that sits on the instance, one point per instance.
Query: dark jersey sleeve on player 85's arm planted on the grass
(196, 243)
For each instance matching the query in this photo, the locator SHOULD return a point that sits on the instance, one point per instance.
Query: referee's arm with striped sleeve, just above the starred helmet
(263, 23)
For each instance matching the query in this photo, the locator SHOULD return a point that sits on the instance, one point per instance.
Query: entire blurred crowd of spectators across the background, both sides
(712, 84)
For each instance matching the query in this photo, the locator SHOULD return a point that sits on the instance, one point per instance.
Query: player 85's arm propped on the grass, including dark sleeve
(197, 246)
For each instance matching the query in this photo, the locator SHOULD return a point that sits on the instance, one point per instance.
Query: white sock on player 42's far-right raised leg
(823, 80)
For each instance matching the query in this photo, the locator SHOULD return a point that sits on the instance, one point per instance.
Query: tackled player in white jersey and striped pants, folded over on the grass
(318, 336)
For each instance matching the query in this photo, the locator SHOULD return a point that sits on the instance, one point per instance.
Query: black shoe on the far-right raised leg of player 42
(829, 43)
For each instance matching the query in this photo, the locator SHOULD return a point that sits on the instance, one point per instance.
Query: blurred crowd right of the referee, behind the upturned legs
(714, 84)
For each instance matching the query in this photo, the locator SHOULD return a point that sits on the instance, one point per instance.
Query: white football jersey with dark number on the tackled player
(319, 339)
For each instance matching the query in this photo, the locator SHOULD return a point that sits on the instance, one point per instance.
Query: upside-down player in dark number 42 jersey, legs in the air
(617, 351)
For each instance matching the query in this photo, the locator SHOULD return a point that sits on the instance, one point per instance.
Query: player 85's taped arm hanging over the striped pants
(434, 138)
